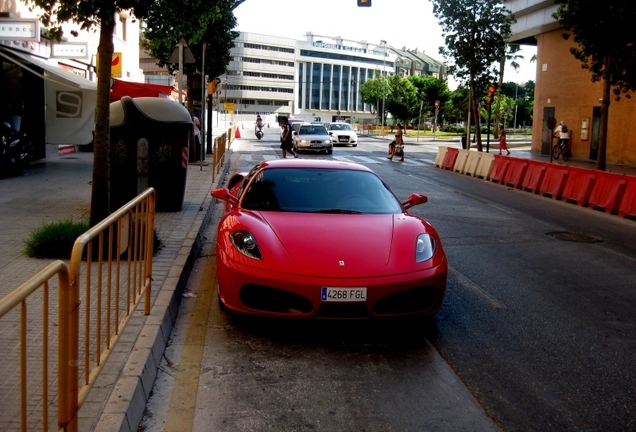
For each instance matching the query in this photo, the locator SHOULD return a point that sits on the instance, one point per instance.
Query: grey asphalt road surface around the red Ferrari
(537, 333)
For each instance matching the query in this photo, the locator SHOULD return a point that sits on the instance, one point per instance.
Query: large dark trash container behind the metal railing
(149, 141)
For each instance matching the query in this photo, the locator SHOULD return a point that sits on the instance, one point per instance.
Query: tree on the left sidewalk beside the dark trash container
(90, 14)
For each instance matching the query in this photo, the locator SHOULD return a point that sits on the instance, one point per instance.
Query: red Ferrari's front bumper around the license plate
(263, 292)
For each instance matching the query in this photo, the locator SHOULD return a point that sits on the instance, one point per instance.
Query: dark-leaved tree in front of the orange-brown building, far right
(606, 47)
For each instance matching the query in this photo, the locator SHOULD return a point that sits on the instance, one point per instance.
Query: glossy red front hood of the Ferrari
(312, 241)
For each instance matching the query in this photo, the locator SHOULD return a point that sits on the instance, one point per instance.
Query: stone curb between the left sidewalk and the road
(126, 403)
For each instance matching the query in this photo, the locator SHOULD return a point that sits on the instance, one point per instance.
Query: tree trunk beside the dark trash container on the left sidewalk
(100, 192)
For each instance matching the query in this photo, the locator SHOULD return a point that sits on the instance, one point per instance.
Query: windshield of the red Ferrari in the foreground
(320, 190)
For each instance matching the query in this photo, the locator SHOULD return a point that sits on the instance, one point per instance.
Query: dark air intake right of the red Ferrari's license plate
(420, 299)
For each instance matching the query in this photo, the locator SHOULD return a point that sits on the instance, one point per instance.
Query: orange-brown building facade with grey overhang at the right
(564, 91)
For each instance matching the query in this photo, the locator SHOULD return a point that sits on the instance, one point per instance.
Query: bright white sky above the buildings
(402, 23)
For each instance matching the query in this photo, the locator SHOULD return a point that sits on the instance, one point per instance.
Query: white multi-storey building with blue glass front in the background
(315, 78)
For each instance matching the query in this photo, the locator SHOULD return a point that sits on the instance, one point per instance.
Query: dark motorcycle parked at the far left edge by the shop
(15, 148)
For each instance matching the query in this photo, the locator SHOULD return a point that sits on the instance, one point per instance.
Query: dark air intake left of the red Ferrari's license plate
(264, 298)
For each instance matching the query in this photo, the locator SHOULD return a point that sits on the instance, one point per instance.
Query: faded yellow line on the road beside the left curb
(183, 401)
